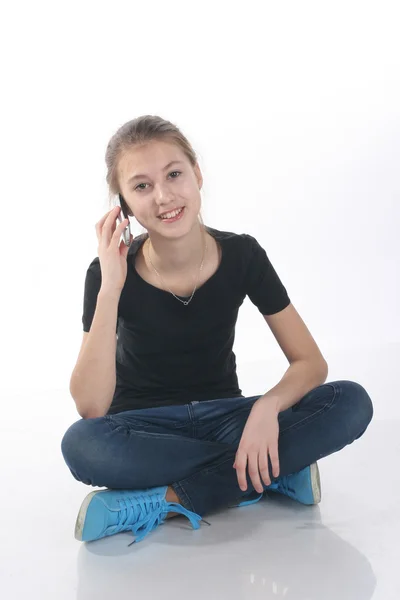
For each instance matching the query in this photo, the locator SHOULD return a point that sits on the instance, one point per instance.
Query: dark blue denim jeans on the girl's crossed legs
(192, 447)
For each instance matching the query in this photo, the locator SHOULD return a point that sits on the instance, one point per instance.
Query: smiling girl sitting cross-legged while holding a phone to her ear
(165, 427)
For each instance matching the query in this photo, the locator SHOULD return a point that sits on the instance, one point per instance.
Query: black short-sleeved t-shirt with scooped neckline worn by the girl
(171, 353)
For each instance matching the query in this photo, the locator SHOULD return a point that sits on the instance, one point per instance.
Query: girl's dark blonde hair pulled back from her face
(134, 133)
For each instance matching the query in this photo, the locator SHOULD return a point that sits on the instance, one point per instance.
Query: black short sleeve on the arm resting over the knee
(262, 283)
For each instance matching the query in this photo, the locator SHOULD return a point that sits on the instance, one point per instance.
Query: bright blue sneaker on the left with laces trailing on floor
(107, 512)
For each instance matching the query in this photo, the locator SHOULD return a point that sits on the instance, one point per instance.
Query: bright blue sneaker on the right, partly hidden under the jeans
(303, 486)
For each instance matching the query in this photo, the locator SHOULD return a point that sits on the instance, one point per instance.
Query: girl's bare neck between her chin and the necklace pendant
(177, 255)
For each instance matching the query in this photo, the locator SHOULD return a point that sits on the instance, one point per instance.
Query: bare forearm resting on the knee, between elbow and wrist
(300, 378)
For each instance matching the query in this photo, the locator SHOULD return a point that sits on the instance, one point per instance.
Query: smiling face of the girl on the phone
(157, 178)
